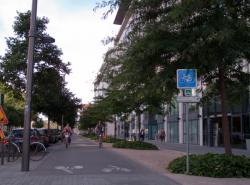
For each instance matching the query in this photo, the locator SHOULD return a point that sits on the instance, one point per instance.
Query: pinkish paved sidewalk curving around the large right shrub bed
(158, 160)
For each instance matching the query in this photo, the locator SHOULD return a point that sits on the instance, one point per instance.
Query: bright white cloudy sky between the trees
(78, 31)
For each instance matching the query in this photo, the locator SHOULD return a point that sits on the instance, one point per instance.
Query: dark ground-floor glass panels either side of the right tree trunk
(239, 123)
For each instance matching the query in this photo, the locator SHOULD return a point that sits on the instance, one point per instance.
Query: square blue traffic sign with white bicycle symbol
(186, 78)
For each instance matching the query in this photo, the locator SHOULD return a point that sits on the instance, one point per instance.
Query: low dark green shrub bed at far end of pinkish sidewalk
(134, 145)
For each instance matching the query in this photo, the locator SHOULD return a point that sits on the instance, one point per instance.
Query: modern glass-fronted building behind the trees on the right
(204, 122)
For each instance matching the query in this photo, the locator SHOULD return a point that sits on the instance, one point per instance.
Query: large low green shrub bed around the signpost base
(213, 165)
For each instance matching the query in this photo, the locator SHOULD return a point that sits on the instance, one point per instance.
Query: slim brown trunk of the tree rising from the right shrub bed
(225, 122)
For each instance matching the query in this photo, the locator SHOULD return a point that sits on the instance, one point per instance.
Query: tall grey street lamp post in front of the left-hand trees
(27, 108)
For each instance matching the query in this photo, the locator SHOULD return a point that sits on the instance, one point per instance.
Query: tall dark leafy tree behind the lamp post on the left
(48, 82)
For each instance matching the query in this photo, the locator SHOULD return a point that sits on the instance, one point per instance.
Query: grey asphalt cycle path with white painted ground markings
(83, 163)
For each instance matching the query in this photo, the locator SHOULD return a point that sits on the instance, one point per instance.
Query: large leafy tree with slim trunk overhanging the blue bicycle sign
(211, 36)
